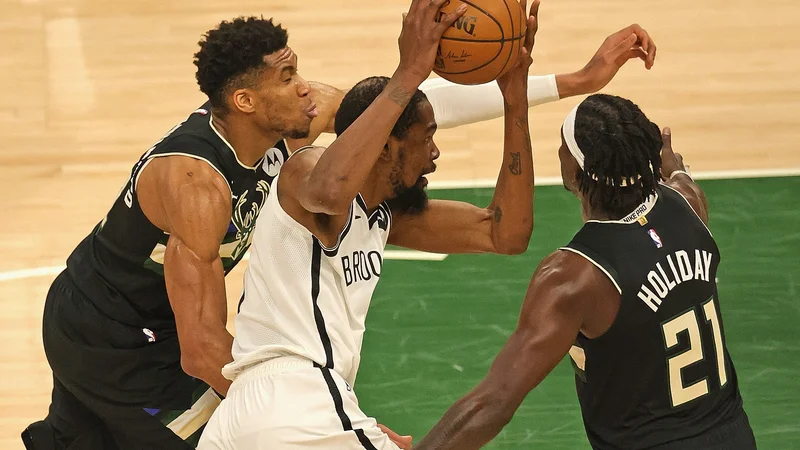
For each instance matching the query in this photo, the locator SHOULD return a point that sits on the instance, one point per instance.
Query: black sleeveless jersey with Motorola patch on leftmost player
(119, 266)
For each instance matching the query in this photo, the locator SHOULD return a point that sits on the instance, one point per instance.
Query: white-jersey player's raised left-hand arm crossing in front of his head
(342, 169)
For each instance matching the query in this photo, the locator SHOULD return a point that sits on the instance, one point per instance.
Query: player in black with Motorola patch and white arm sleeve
(144, 292)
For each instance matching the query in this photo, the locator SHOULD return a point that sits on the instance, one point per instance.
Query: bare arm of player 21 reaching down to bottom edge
(561, 295)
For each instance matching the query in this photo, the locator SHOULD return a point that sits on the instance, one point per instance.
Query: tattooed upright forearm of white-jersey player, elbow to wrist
(512, 204)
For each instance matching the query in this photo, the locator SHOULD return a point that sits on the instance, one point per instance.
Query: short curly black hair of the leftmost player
(231, 53)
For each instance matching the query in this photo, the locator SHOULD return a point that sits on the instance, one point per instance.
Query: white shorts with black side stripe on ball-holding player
(287, 404)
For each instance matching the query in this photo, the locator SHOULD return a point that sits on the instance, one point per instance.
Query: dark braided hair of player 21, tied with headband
(622, 153)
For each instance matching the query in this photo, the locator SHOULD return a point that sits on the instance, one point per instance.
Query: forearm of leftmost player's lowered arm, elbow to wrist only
(197, 294)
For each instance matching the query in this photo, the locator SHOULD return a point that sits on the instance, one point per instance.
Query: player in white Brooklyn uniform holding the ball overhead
(318, 250)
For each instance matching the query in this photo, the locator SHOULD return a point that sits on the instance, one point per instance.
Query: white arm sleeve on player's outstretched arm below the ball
(456, 104)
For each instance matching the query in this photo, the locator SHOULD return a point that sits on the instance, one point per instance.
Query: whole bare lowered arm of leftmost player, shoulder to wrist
(188, 199)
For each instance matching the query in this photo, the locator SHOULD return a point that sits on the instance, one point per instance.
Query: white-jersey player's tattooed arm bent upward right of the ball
(504, 226)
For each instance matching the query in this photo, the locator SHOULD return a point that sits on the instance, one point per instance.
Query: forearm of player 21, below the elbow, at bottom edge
(469, 424)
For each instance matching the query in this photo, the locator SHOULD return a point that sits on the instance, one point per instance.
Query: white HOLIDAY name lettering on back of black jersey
(681, 269)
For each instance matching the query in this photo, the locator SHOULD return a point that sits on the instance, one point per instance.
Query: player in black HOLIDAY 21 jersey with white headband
(632, 299)
